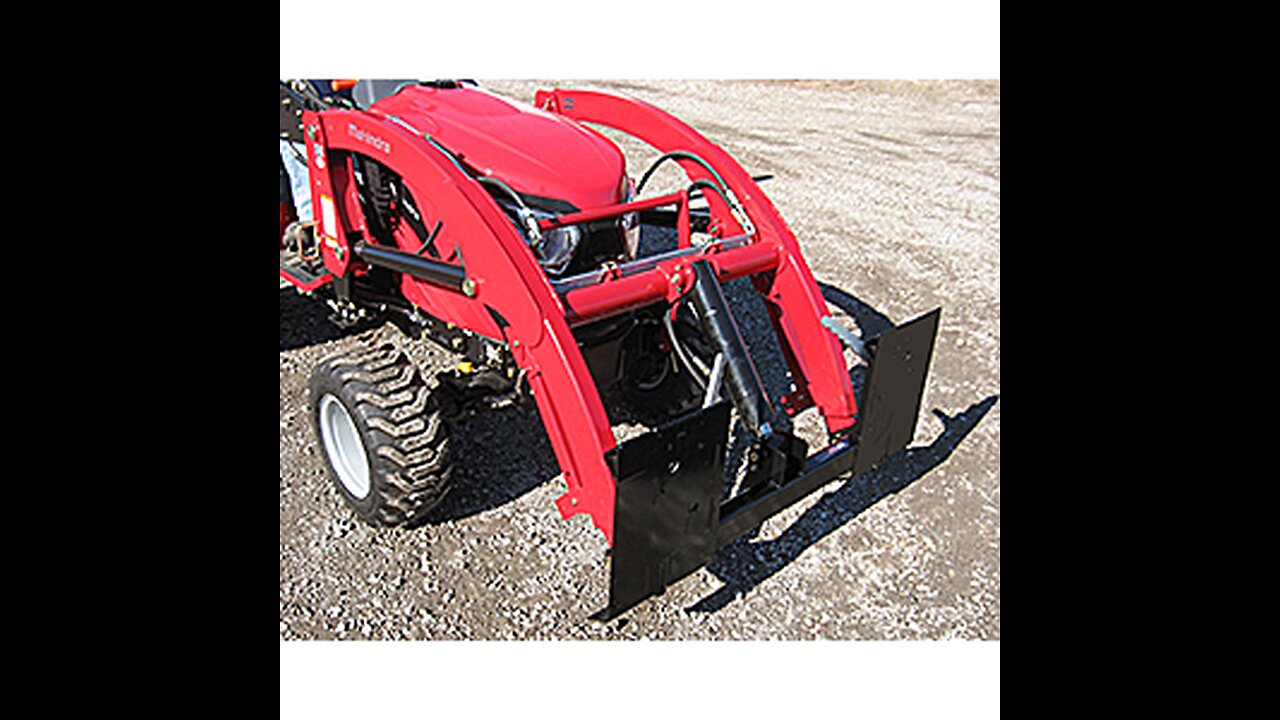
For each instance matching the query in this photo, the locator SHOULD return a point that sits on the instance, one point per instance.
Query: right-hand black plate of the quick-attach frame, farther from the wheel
(895, 386)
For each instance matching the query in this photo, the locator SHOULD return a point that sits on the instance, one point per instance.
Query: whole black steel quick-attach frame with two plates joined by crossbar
(669, 520)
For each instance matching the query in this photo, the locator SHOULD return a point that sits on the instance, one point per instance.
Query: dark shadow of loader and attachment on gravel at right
(748, 562)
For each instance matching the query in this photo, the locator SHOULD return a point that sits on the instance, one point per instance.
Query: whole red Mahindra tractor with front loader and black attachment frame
(510, 235)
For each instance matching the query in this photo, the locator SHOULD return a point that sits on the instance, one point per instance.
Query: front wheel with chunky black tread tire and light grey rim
(391, 458)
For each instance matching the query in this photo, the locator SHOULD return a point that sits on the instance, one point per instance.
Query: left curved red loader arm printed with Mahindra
(505, 282)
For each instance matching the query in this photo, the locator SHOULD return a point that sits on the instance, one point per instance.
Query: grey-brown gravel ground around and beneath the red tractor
(894, 192)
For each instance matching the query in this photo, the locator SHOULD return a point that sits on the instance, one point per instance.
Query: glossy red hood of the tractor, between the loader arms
(536, 153)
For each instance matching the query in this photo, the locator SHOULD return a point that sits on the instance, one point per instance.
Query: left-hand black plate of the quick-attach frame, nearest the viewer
(668, 508)
